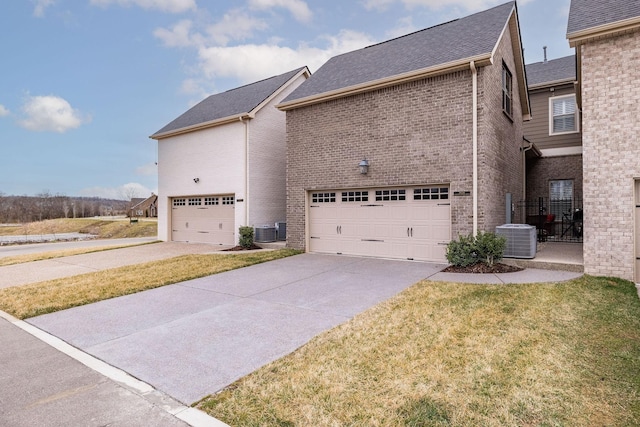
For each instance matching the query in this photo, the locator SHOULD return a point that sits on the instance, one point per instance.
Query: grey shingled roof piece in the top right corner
(591, 14)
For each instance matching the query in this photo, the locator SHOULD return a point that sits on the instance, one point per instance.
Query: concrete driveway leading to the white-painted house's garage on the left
(37, 271)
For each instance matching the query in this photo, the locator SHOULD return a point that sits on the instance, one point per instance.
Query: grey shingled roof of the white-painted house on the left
(226, 105)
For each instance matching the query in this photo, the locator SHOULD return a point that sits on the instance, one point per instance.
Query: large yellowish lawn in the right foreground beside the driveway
(450, 354)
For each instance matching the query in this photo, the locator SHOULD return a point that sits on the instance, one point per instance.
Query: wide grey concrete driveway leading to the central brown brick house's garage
(194, 338)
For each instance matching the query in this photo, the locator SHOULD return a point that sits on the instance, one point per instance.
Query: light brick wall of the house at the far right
(610, 108)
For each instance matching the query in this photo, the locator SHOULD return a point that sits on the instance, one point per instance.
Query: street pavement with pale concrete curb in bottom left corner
(42, 386)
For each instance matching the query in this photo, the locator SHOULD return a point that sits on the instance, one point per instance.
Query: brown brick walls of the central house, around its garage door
(416, 133)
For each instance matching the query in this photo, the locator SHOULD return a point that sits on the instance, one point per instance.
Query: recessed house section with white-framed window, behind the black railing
(554, 157)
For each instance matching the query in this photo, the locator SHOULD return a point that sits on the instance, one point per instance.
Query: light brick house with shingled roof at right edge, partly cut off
(606, 36)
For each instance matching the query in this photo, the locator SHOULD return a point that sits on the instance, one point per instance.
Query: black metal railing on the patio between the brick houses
(555, 220)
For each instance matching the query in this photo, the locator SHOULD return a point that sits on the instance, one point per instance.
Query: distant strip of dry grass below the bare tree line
(104, 229)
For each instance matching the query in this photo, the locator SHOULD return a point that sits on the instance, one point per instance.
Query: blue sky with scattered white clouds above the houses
(85, 82)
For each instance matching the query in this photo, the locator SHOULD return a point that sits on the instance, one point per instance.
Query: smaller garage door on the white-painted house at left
(203, 219)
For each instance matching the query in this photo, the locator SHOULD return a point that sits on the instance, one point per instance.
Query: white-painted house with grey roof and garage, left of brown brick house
(221, 164)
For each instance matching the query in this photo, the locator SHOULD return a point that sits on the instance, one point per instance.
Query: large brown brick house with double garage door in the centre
(394, 149)
